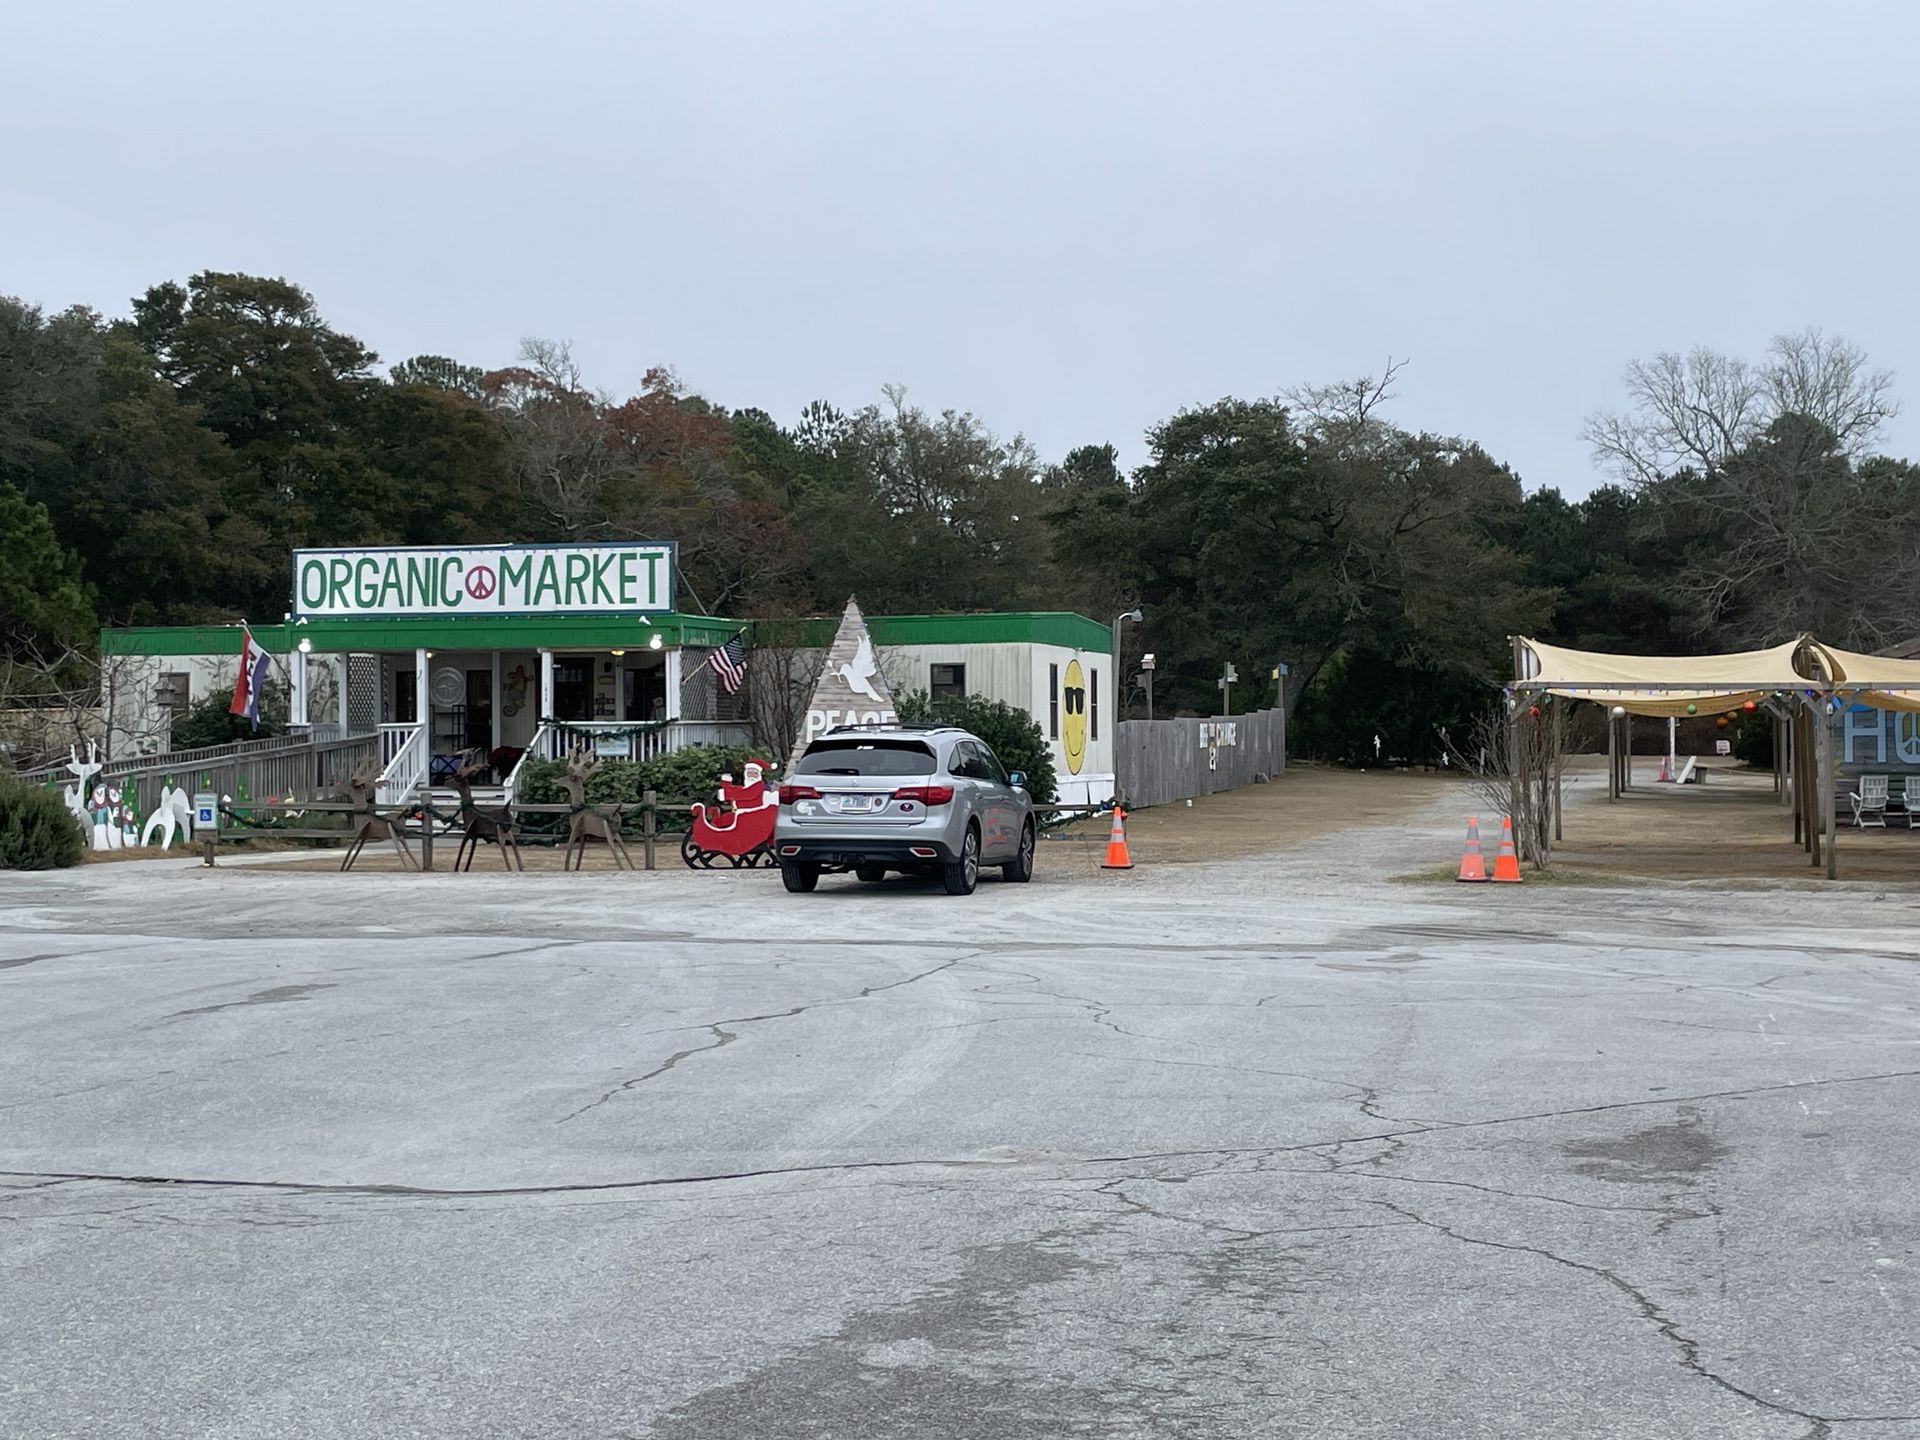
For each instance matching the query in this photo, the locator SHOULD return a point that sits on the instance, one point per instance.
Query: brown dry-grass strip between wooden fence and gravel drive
(1303, 804)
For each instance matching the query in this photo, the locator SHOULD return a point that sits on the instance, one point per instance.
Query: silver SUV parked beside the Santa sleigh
(873, 800)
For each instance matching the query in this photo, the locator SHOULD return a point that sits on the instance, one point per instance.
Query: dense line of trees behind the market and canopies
(158, 469)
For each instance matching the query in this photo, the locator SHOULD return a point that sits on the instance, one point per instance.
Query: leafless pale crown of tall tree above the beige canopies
(1704, 408)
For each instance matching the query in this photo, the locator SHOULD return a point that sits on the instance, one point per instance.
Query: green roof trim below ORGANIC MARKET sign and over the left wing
(508, 633)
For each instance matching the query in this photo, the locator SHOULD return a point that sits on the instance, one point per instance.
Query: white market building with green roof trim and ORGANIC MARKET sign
(514, 650)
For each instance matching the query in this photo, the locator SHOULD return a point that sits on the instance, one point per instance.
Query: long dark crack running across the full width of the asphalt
(1061, 1163)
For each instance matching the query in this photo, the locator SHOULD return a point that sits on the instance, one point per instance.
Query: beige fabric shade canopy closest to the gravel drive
(1668, 684)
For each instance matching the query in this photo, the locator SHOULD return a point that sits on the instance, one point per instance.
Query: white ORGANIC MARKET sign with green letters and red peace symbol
(485, 581)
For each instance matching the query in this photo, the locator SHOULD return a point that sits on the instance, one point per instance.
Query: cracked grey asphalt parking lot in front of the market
(1276, 1147)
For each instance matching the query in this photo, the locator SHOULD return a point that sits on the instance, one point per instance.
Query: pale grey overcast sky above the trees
(1068, 220)
